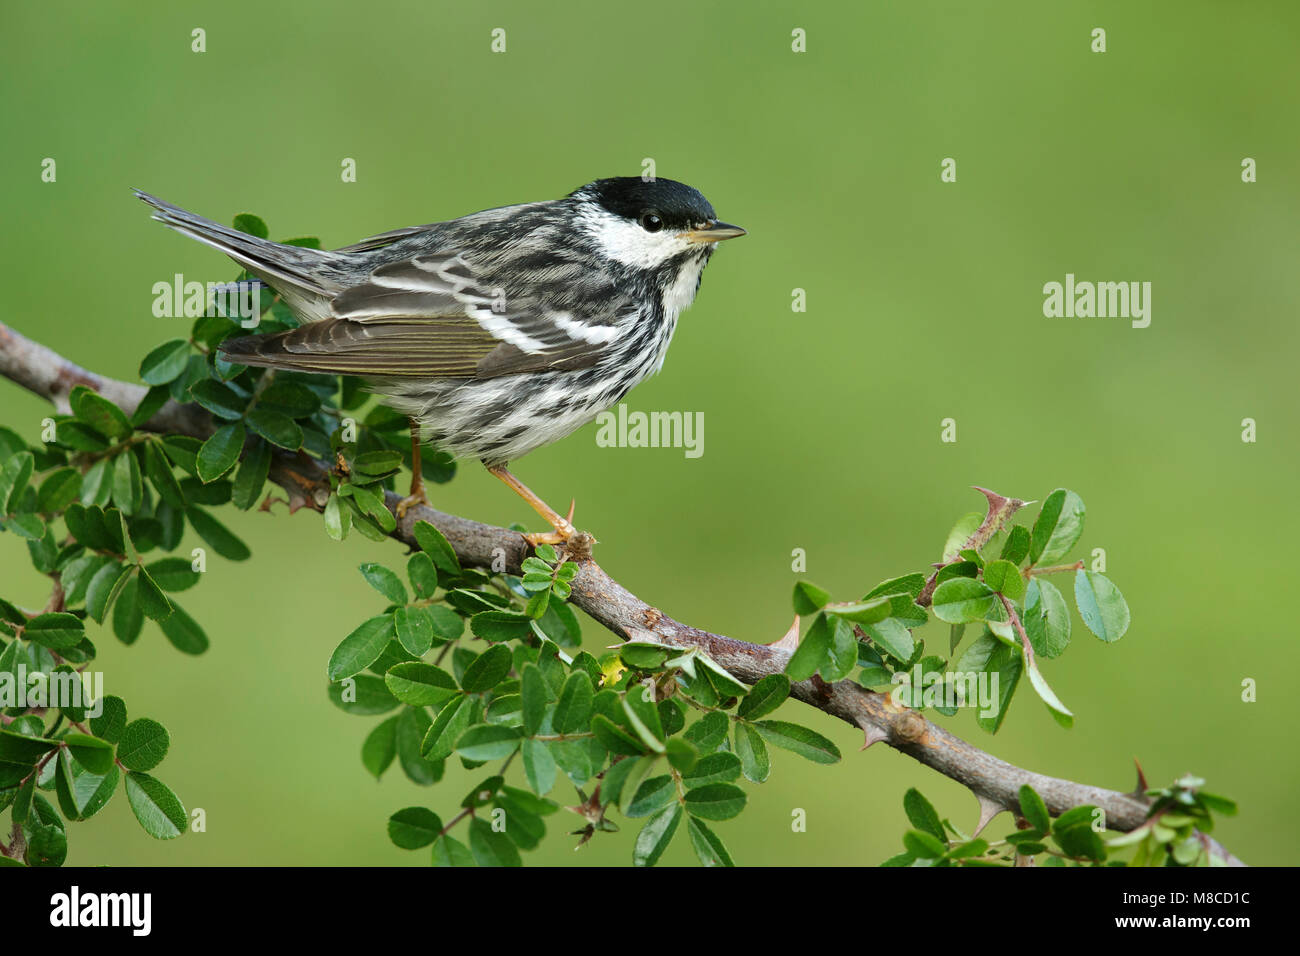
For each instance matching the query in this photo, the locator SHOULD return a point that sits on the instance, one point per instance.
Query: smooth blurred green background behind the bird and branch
(822, 429)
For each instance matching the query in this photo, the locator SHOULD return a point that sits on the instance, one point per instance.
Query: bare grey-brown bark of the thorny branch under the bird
(994, 782)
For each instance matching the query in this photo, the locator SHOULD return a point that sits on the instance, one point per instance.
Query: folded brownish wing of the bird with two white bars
(431, 317)
